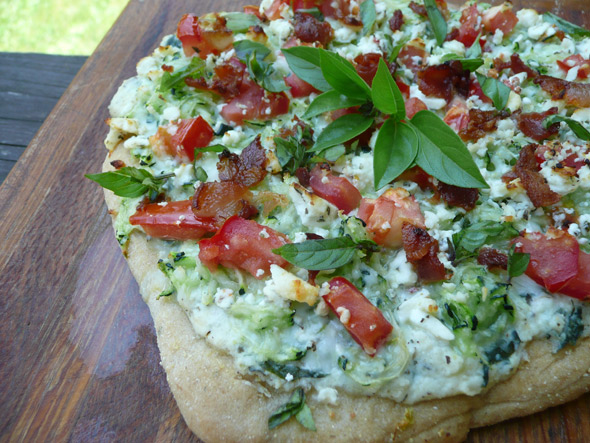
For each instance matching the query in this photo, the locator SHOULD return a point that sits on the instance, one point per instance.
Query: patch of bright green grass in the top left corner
(72, 27)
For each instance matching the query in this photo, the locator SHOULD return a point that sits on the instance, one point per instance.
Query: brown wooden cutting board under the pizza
(78, 355)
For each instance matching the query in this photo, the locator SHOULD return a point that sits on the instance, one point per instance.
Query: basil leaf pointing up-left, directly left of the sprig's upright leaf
(342, 76)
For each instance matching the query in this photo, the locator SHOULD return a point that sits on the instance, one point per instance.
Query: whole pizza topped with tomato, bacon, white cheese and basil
(360, 221)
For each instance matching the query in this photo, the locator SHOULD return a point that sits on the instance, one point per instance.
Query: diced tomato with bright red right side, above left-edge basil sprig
(180, 139)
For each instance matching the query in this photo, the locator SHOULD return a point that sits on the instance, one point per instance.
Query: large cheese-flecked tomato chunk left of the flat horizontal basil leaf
(243, 244)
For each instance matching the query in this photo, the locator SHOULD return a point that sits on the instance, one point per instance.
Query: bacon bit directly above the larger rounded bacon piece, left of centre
(247, 169)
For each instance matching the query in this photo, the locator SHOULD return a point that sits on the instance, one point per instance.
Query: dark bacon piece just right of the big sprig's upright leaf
(444, 80)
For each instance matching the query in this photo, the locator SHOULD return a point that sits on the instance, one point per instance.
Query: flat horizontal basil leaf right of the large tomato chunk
(318, 255)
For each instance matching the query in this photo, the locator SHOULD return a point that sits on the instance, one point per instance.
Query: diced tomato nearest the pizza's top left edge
(205, 35)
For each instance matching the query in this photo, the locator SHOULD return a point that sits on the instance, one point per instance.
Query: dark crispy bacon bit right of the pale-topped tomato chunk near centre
(421, 250)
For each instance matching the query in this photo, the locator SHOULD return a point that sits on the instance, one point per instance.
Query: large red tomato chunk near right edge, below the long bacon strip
(553, 257)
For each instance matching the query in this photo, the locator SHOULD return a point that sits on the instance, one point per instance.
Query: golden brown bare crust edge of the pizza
(220, 405)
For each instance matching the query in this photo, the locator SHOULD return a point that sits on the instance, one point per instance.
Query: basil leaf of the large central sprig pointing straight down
(395, 151)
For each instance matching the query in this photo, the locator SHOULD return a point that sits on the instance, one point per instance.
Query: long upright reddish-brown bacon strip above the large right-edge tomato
(527, 169)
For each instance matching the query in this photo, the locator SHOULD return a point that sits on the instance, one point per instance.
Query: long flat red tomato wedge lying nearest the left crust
(172, 221)
